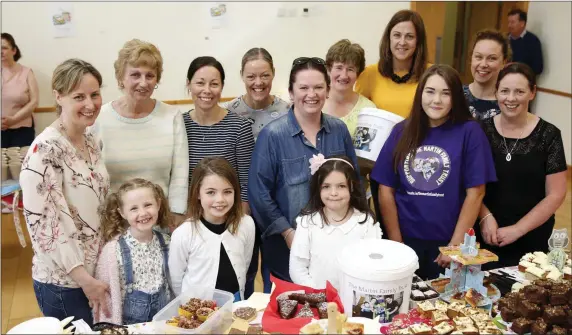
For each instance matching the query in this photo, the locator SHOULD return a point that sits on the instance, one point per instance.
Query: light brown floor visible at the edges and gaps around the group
(19, 302)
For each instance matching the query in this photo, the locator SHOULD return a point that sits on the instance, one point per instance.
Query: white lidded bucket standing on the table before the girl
(375, 278)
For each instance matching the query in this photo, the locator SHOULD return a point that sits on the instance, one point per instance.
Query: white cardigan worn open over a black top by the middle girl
(194, 254)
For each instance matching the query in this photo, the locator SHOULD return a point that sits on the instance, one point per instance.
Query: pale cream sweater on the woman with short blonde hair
(153, 148)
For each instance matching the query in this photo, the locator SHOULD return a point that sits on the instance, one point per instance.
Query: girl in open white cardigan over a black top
(214, 246)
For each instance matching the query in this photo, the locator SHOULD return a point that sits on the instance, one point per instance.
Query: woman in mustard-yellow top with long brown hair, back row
(391, 83)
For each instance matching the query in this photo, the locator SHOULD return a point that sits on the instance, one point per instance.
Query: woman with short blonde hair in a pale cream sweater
(142, 137)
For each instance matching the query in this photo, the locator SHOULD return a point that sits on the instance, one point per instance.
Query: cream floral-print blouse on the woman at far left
(61, 194)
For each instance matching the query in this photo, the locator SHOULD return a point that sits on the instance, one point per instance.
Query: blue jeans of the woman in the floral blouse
(62, 302)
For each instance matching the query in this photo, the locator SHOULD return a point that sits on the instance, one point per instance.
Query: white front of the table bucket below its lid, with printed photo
(370, 299)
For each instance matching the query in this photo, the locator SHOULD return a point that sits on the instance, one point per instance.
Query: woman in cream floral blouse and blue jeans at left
(63, 182)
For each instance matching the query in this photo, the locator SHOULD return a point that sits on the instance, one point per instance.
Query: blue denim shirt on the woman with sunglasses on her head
(279, 177)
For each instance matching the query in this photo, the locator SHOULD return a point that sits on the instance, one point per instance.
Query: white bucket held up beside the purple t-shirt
(373, 128)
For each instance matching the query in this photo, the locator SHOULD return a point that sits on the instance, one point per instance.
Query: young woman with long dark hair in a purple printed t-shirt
(433, 169)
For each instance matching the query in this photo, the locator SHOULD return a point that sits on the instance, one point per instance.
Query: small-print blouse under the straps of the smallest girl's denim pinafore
(147, 262)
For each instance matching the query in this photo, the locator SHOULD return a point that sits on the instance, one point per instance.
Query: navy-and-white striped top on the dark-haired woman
(231, 138)
